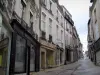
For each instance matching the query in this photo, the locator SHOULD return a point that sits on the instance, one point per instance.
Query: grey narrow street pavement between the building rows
(82, 67)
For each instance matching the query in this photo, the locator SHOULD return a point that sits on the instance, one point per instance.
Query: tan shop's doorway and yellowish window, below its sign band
(47, 58)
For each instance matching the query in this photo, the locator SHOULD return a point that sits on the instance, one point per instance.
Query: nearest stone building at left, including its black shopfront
(19, 46)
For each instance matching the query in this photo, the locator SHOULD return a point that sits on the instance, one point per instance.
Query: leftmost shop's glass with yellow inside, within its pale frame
(4, 41)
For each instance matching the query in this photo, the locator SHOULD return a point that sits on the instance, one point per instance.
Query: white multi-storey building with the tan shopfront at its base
(52, 34)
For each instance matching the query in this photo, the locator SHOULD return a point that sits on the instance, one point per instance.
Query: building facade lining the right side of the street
(94, 32)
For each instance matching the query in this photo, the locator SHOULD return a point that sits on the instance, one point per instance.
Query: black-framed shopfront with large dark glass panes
(24, 52)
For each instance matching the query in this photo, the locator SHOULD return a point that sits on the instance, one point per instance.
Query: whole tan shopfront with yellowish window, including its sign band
(47, 55)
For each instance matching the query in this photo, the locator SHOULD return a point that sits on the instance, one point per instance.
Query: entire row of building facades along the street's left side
(35, 35)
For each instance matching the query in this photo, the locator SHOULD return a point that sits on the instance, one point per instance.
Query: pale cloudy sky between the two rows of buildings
(79, 10)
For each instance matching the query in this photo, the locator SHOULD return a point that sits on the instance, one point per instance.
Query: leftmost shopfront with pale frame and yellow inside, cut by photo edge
(5, 45)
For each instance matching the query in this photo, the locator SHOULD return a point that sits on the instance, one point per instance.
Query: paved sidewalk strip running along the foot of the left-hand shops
(56, 70)
